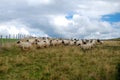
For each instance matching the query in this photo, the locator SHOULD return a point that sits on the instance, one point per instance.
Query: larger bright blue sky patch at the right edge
(112, 17)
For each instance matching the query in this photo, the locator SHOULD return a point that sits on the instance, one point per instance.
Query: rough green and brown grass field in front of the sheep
(60, 63)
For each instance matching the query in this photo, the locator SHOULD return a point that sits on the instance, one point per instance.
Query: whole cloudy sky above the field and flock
(61, 18)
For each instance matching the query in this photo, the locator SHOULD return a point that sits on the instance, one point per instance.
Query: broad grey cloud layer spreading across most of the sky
(36, 17)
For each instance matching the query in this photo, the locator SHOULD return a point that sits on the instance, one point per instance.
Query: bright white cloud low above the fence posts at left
(13, 28)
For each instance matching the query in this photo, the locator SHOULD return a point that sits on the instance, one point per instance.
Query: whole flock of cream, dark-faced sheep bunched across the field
(38, 43)
